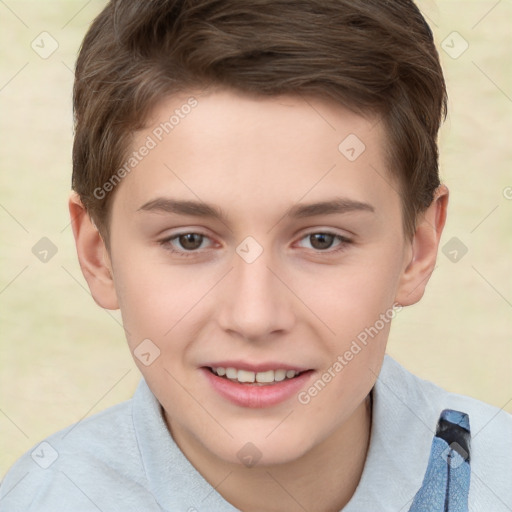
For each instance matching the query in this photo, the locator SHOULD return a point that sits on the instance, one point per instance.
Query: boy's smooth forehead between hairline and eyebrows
(244, 152)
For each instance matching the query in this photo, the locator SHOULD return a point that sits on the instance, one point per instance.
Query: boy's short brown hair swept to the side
(372, 56)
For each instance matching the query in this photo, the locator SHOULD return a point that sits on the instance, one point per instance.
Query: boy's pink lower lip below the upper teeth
(256, 396)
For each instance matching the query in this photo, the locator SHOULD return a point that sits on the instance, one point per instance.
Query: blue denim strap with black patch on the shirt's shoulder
(445, 486)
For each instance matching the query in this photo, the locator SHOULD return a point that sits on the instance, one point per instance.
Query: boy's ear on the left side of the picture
(92, 255)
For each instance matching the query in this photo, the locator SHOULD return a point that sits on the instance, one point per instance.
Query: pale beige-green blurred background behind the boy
(63, 358)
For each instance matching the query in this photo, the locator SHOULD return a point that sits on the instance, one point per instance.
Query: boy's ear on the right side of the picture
(422, 253)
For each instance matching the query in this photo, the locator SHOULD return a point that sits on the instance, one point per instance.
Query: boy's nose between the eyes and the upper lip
(256, 301)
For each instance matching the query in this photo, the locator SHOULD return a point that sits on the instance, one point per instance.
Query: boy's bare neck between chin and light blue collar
(323, 479)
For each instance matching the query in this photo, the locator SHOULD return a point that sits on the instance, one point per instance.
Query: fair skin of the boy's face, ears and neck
(299, 302)
